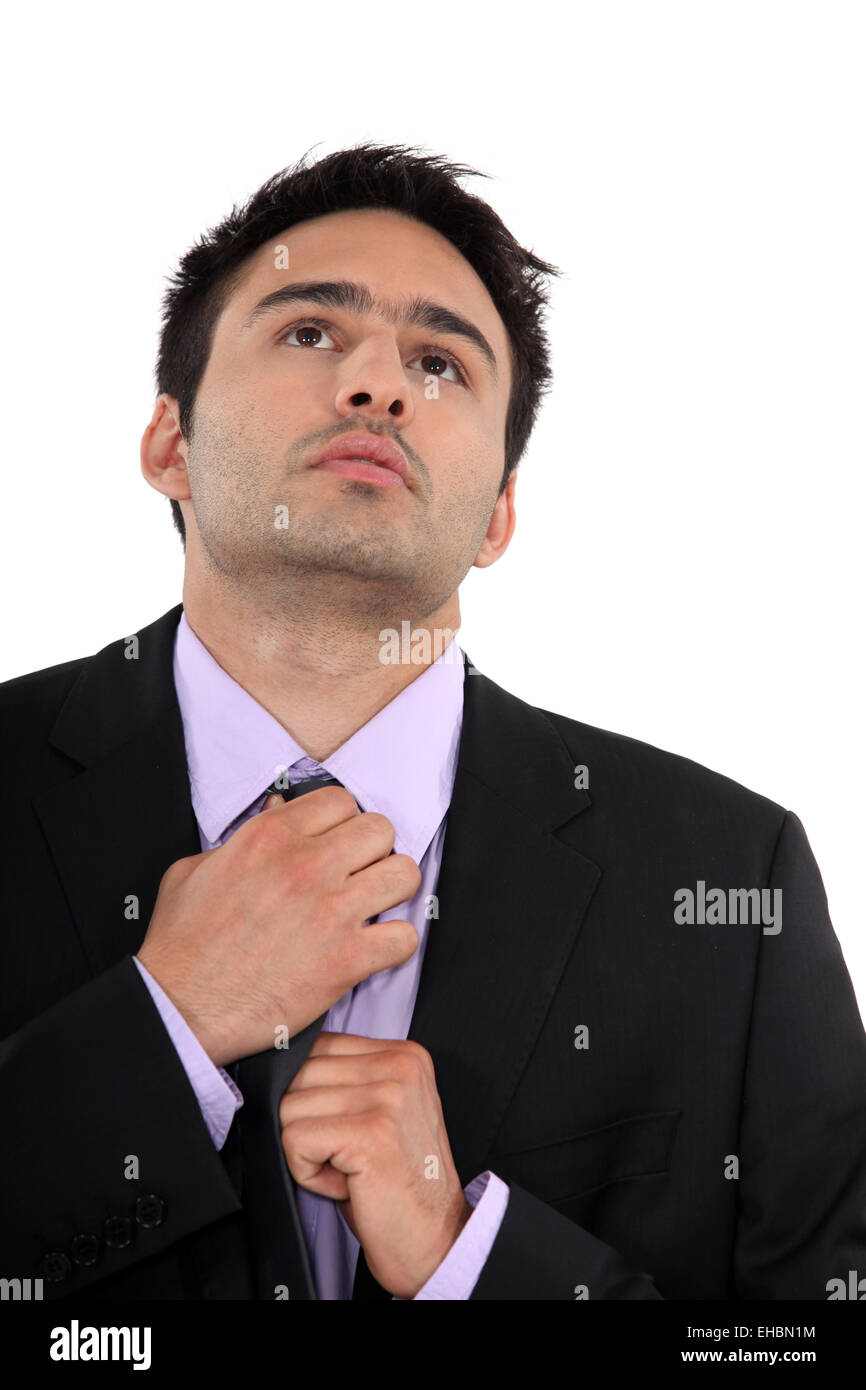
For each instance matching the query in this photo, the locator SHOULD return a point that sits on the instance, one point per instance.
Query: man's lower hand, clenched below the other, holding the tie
(362, 1124)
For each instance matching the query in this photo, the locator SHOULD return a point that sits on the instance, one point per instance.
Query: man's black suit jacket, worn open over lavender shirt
(700, 1046)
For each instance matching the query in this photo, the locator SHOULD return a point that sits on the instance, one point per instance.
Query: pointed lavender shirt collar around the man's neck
(401, 764)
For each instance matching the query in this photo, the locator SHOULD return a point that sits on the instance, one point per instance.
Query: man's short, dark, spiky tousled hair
(369, 176)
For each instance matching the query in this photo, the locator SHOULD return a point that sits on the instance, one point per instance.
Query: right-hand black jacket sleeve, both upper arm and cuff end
(803, 1136)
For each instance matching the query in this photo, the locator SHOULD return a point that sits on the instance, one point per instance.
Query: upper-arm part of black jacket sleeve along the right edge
(803, 1146)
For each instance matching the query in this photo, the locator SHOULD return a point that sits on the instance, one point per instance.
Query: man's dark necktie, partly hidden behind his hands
(280, 1249)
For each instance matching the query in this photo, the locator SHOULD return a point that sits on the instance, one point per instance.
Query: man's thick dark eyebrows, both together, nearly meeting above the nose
(347, 294)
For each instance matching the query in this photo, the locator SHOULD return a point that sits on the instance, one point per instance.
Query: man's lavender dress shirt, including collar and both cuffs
(402, 765)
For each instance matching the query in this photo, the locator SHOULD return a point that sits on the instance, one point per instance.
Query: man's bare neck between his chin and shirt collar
(320, 675)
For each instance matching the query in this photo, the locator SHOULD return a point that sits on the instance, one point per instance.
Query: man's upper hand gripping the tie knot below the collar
(269, 929)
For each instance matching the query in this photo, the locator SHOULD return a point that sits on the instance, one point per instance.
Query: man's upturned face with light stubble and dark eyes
(277, 391)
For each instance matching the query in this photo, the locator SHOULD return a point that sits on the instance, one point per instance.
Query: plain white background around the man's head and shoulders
(687, 564)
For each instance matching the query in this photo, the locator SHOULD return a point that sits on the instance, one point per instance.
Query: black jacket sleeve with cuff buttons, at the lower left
(106, 1159)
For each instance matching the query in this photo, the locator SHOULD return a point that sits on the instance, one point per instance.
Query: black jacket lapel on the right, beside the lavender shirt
(512, 899)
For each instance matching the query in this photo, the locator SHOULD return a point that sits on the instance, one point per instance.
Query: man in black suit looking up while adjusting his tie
(494, 1004)
